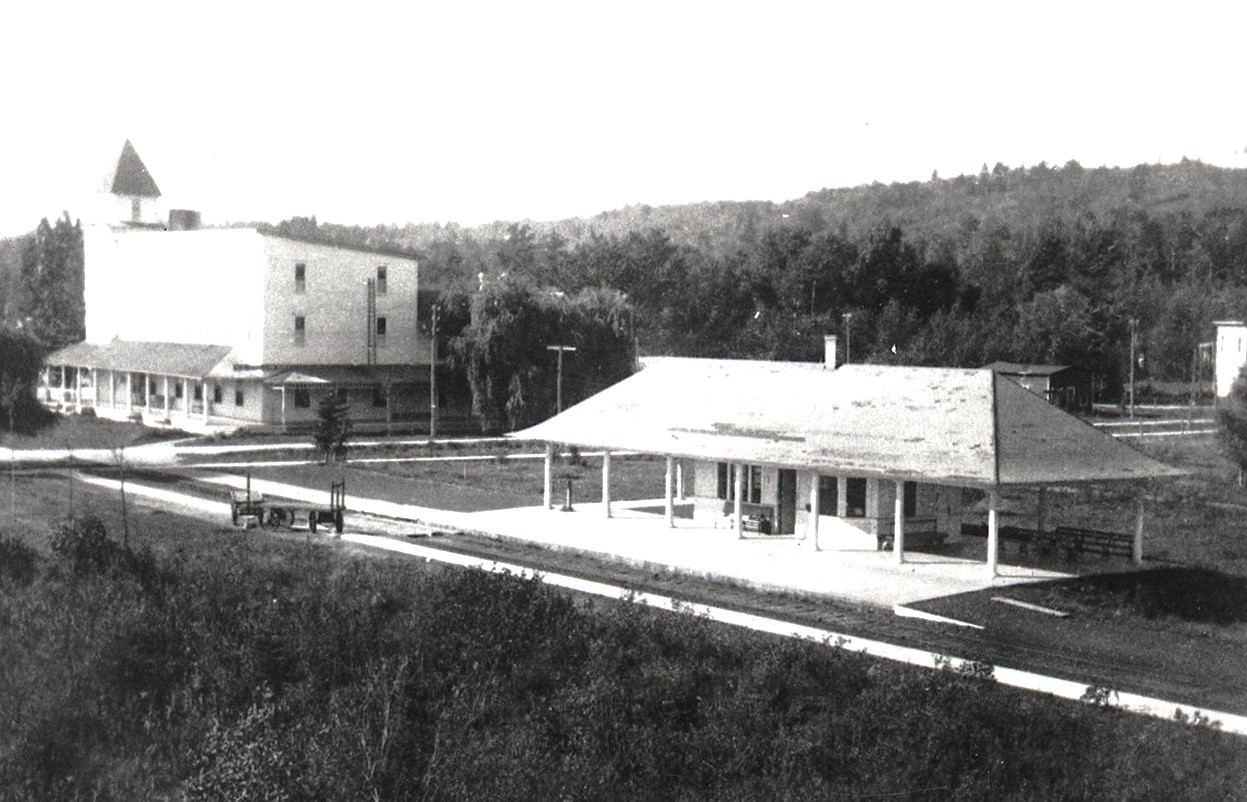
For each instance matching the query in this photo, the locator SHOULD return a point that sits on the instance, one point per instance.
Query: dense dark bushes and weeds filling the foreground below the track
(322, 677)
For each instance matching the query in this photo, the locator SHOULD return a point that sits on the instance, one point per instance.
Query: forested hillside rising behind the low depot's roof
(1041, 265)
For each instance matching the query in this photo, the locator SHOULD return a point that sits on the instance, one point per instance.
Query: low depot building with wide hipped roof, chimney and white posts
(864, 457)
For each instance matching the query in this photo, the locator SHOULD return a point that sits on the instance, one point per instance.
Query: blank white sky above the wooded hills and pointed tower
(366, 113)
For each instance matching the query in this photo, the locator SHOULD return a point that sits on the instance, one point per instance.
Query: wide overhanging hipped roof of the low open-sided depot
(945, 426)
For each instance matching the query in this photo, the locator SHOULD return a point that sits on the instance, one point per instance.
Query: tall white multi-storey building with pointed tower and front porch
(228, 327)
